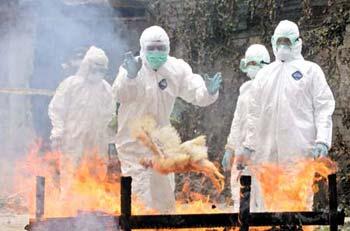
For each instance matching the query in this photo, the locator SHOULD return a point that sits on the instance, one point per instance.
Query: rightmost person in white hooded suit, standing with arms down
(290, 111)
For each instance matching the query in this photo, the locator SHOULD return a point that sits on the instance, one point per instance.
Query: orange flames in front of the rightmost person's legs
(291, 188)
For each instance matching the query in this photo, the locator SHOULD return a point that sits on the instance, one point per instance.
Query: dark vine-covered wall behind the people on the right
(213, 35)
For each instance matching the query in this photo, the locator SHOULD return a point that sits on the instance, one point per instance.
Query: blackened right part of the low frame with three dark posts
(244, 219)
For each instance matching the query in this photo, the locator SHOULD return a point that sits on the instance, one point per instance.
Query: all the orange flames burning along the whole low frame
(85, 188)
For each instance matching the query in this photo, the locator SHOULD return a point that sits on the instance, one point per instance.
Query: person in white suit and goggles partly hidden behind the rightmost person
(256, 57)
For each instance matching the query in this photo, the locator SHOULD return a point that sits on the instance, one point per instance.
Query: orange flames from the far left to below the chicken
(83, 188)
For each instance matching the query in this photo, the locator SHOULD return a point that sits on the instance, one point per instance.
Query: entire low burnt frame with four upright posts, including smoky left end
(244, 219)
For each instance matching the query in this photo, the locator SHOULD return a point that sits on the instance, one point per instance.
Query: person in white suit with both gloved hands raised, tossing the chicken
(149, 85)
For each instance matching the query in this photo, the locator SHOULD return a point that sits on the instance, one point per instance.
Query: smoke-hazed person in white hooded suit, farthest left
(81, 109)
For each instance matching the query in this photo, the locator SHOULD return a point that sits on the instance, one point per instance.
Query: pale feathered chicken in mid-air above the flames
(169, 154)
